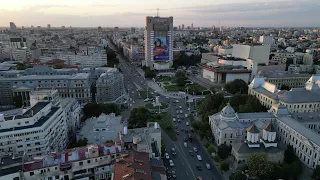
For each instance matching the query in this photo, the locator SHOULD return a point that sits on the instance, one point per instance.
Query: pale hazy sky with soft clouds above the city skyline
(127, 13)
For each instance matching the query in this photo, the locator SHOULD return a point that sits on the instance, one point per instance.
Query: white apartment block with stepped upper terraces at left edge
(37, 131)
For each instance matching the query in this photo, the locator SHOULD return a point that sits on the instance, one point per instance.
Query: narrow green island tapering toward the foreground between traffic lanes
(166, 124)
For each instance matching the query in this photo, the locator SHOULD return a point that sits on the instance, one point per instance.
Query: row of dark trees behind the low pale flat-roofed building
(95, 109)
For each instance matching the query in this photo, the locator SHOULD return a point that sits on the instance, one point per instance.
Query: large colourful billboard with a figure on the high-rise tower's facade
(161, 48)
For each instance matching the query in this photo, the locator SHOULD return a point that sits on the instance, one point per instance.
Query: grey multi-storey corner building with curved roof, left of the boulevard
(110, 87)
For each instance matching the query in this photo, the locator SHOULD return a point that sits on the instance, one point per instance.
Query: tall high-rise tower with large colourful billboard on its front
(159, 42)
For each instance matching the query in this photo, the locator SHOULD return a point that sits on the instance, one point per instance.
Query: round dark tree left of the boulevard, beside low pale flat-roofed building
(139, 117)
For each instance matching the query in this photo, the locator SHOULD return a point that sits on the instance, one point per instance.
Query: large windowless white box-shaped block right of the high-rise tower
(258, 53)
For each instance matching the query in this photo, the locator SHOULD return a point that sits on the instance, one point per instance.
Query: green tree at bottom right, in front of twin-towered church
(259, 166)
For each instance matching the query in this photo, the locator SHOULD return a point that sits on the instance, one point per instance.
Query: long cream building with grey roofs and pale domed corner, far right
(305, 99)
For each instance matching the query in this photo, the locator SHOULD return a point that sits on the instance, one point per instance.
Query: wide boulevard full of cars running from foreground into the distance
(184, 164)
